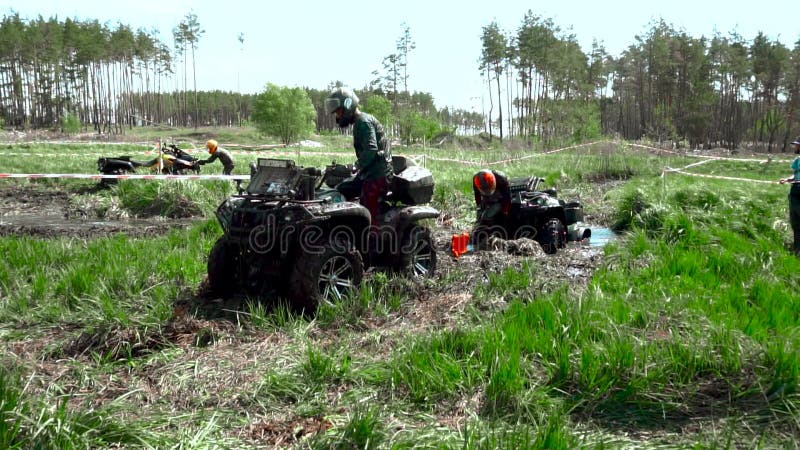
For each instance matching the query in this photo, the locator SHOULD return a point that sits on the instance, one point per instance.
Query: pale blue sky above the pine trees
(313, 43)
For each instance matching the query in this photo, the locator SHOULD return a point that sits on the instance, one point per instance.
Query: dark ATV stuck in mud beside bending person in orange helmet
(535, 214)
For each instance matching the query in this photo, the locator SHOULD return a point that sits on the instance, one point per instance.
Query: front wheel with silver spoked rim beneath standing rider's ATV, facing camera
(330, 274)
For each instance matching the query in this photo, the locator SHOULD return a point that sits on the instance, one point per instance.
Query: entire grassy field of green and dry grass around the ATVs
(685, 335)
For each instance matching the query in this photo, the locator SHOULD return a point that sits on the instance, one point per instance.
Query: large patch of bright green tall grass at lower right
(688, 317)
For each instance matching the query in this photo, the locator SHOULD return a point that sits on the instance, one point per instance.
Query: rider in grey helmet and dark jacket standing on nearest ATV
(373, 153)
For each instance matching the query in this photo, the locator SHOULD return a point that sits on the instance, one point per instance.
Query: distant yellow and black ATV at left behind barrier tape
(173, 160)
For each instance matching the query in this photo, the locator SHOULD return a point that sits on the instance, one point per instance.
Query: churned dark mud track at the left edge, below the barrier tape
(52, 211)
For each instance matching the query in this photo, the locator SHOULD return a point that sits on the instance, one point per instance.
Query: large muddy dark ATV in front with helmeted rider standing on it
(298, 232)
